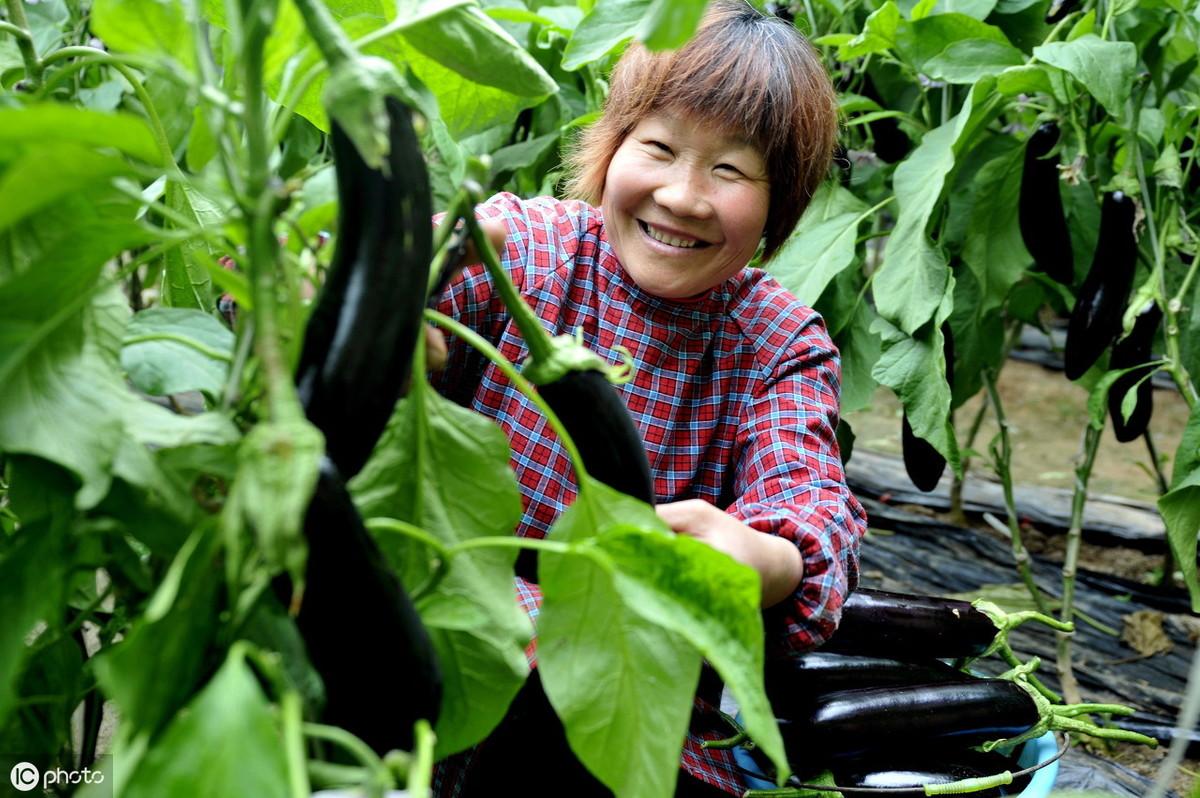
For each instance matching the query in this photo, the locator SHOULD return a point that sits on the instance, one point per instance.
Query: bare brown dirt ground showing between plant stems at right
(1047, 416)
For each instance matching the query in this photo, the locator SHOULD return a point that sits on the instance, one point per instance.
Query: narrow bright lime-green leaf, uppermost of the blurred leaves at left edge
(45, 123)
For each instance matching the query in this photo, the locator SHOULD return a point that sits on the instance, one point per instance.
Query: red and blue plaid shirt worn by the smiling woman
(735, 394)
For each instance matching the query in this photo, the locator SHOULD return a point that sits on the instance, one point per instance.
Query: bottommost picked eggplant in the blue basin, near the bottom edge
(915, 770)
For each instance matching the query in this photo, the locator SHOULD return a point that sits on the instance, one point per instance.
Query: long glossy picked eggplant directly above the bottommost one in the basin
(855, 723)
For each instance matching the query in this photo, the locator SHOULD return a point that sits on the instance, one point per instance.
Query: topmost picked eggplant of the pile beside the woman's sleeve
(879, 623)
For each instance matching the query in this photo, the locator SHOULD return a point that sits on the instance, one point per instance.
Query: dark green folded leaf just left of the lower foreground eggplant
(152, 674)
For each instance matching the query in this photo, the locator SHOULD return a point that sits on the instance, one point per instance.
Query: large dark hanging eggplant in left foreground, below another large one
(361, 629)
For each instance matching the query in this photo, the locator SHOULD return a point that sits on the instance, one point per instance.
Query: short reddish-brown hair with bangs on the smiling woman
(749, 74)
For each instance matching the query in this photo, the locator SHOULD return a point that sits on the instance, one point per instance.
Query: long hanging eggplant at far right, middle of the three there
(1101, 302)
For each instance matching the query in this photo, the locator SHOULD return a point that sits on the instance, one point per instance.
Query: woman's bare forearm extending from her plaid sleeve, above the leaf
(778, 561)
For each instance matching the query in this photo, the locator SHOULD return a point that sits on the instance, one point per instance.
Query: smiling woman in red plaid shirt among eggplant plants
(701, 158)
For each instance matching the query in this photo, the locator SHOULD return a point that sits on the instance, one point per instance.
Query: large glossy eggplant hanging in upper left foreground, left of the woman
(361, 338)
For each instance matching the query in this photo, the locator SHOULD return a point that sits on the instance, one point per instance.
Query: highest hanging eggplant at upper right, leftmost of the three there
(1040, 208)
